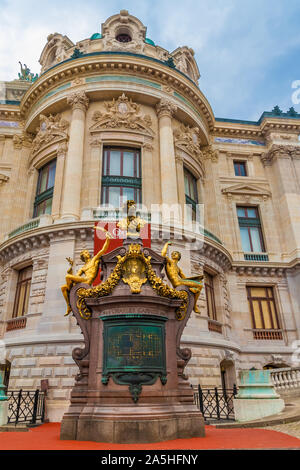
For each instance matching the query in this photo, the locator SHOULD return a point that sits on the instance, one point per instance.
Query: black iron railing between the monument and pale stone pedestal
(215, 403)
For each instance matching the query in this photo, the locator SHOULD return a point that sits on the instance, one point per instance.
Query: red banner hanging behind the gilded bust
(118, 236)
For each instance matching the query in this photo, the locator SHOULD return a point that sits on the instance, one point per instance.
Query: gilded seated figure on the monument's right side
(176, 276)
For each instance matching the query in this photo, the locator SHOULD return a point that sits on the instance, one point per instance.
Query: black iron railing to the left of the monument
(25, 406)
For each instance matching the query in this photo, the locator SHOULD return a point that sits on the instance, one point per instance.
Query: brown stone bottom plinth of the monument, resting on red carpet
(138, 431)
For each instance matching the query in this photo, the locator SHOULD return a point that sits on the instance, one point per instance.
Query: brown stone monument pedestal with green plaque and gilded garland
(131, 387)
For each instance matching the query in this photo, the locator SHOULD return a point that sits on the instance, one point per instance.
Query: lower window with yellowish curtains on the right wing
(263, 309)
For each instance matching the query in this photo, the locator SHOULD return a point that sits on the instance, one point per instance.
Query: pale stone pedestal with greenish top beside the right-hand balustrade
(257, 397)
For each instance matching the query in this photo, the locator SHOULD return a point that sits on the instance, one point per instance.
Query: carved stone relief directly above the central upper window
(122, 113)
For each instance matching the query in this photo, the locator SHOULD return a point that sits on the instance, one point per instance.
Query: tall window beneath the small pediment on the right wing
(250, 229)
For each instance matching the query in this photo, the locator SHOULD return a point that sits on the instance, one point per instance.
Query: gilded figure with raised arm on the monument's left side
(87, 273)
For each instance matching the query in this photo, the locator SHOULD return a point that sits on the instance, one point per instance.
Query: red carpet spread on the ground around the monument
(46, 437)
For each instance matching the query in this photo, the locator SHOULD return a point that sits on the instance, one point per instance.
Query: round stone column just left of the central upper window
(73, 171)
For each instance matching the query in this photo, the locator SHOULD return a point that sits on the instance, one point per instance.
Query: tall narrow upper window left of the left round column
(44, 193)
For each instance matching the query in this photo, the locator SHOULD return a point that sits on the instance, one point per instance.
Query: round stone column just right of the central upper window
(165, 109)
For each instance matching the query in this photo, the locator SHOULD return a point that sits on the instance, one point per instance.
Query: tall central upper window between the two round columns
(121, 176)
